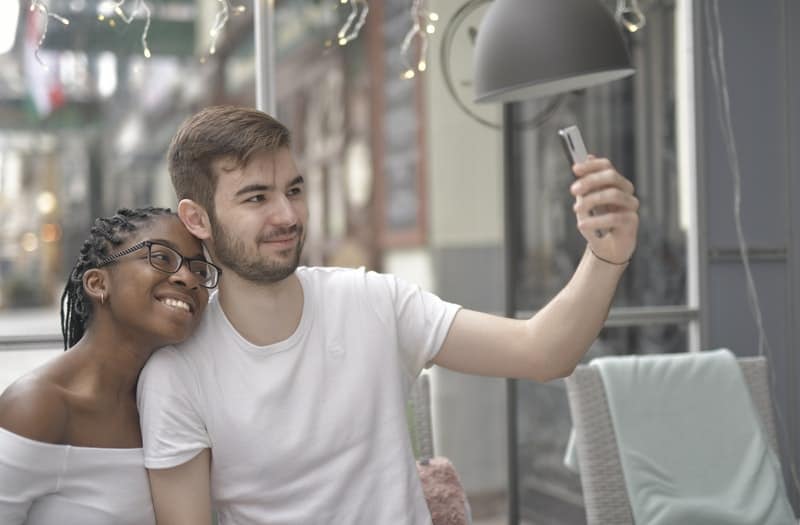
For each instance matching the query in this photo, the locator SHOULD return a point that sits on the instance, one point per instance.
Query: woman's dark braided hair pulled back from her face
(106, 234)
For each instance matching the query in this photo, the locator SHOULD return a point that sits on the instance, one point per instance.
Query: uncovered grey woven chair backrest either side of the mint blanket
(604, 493)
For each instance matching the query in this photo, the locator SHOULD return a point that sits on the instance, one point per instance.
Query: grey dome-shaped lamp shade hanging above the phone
(531, 48)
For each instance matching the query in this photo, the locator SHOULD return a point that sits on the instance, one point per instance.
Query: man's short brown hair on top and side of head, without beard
(215, 133)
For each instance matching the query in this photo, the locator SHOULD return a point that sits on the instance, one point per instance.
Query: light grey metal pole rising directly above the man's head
(264, 29)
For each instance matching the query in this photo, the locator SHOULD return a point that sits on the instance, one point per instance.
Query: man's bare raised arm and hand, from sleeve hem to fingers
(551, 343)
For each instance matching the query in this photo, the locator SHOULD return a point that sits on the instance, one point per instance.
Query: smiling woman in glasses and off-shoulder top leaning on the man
(70, 447)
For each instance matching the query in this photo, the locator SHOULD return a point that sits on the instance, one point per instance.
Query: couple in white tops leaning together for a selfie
(282, 398)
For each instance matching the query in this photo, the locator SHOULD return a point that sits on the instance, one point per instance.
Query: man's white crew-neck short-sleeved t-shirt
(312, 429)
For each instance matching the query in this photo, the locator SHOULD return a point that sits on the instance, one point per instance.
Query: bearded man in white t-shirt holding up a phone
(288, 403)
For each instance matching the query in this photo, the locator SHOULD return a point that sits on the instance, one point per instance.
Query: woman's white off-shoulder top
(45, 484)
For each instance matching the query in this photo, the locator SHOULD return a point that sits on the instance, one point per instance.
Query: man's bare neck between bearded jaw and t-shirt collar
(262, 313)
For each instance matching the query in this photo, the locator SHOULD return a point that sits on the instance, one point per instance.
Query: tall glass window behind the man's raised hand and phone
(634, 123)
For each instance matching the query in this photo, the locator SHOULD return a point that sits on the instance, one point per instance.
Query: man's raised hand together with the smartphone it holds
(605, 206)
